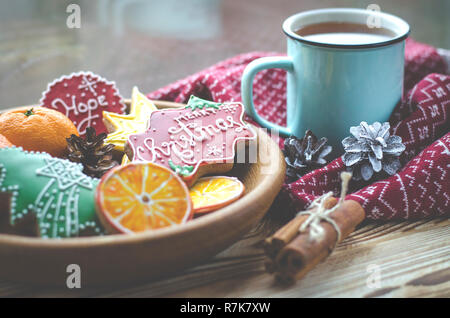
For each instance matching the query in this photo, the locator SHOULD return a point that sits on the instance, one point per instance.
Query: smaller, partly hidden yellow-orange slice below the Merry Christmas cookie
(211, 193)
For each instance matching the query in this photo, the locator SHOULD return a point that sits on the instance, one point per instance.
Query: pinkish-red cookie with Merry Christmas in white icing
(194, 140)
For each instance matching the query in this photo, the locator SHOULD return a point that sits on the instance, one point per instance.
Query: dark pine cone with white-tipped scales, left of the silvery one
(304, 155)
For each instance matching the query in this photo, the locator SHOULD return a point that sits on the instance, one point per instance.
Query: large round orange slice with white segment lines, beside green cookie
(140, 197)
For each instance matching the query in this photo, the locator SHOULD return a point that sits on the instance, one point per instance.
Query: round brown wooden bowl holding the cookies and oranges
(115, 259)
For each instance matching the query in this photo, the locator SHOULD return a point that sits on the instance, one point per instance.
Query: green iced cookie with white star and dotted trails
(47, 197)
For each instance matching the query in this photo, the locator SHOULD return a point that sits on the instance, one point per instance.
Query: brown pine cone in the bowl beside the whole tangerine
(95, 157)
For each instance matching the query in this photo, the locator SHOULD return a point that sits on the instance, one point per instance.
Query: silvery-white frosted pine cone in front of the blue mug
(371, 149)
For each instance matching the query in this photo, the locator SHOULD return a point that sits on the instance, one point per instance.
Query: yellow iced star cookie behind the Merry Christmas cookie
(120, 127)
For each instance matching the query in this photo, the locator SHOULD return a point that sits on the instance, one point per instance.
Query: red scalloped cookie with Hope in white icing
(83, 97)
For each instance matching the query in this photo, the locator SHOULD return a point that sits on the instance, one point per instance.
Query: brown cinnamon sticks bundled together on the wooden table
(293, 254)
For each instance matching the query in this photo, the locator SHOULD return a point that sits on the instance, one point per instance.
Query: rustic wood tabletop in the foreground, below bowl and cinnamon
(413, 257)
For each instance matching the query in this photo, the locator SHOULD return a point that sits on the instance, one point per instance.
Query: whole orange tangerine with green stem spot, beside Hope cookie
(37, 129)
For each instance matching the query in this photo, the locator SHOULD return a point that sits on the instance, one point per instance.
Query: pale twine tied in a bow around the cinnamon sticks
(316, 231)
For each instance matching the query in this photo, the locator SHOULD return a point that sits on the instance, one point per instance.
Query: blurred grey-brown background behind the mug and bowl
(150, 43)
